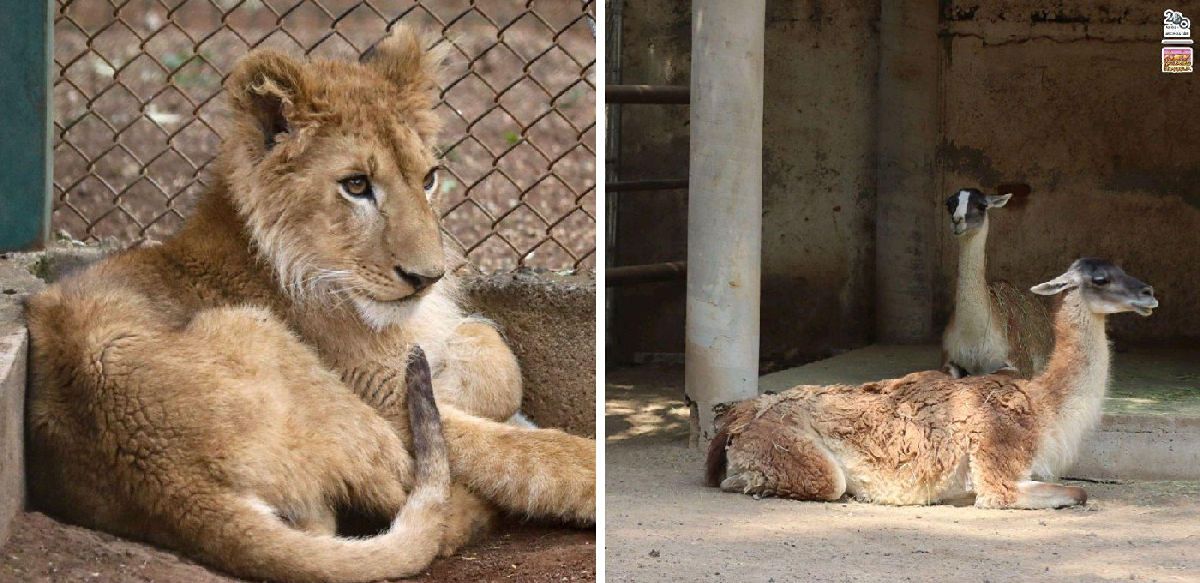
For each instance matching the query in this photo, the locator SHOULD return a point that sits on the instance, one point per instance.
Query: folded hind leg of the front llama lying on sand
(773, 459)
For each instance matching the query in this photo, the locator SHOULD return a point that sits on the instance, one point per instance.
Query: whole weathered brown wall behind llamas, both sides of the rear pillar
(1066, 97)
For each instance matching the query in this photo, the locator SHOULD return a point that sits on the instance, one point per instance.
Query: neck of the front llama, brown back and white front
(1070, 395)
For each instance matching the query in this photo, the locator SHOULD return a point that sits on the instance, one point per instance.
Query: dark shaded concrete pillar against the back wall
(907, 212)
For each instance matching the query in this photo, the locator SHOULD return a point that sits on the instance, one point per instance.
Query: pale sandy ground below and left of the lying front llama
(663, 525)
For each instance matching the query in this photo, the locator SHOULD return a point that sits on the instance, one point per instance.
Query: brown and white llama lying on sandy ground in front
(928, 438)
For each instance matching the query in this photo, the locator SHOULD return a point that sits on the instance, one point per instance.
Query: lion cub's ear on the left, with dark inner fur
(269, 87)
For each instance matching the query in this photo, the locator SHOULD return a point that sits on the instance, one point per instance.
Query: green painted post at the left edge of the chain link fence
(26, 164)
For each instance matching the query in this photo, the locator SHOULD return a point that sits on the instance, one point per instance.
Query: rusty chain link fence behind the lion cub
(139, 94)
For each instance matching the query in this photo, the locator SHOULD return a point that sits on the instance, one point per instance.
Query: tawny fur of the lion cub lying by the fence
(224, 394)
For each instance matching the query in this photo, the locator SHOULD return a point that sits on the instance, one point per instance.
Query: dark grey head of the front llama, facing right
(1105, 289)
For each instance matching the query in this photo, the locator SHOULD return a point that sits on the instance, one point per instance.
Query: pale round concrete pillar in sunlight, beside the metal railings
(724, 206)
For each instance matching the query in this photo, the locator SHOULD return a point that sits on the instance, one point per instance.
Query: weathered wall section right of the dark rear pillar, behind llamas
(1069, 98)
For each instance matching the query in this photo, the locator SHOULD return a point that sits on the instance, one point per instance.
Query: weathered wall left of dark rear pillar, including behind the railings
(819, 178)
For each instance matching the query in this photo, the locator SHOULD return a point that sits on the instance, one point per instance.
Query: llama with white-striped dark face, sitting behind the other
(995, 326)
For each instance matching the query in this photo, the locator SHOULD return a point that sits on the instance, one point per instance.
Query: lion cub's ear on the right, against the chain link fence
(404, 58)
